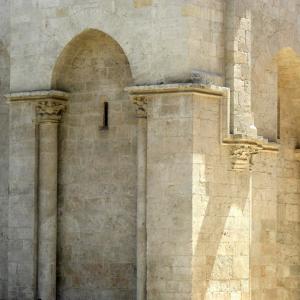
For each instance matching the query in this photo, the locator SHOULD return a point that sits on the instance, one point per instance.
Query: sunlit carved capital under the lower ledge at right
(242, 156)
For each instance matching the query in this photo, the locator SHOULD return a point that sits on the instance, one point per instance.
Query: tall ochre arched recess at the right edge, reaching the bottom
(288, 199)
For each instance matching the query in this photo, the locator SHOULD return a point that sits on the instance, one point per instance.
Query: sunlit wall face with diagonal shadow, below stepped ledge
(221, 211)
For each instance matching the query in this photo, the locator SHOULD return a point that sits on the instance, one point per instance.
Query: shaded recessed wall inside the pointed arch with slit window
(97, 172)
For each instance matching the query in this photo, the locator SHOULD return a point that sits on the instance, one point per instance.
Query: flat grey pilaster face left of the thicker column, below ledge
(22, 202)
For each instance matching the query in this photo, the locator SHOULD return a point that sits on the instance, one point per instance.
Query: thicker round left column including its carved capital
(49, 114)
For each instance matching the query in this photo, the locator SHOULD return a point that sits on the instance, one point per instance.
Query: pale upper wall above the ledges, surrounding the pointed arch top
(163, 40)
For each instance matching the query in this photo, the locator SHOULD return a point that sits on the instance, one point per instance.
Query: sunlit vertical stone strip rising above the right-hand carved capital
(238, 66)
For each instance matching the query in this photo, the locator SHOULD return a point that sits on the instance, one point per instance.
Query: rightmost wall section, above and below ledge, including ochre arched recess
(275, 236)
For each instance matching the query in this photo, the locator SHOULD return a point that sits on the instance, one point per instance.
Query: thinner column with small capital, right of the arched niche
(141, 103)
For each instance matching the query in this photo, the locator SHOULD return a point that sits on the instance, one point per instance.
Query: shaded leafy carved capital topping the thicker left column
(50, 111)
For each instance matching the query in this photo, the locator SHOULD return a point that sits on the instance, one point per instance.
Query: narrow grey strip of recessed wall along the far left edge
(4, 88)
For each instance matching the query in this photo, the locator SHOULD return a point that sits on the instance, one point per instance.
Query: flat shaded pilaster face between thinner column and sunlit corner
(169, 197)
